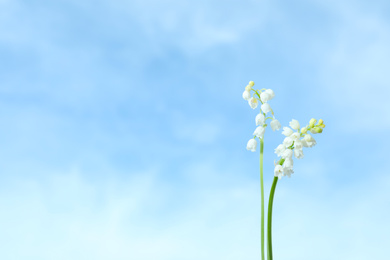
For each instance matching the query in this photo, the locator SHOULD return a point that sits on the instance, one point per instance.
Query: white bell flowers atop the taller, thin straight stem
(260, 96)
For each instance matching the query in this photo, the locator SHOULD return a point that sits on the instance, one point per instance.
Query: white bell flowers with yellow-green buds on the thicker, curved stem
(294, 143)
